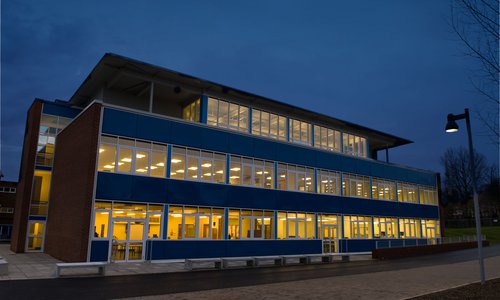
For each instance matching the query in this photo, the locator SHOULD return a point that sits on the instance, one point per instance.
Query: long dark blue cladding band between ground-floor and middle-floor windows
(148, 189)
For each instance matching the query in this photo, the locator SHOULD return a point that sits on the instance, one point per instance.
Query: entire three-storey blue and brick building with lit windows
(144, 163)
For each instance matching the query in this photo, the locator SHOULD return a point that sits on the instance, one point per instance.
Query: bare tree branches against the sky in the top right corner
(476, 23)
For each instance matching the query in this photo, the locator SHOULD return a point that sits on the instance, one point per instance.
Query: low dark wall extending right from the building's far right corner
(391, 253)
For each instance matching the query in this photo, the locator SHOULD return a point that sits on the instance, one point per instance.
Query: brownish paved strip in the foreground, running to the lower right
(400, 284)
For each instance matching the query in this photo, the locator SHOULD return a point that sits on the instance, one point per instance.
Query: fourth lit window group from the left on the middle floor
(295, 178)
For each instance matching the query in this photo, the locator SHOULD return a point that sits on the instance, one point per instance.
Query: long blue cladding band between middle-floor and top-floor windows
(199, 136)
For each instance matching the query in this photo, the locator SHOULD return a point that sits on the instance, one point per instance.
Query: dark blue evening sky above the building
(394, 66)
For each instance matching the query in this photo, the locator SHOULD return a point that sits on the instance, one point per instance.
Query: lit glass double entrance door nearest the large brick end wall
(128, 240)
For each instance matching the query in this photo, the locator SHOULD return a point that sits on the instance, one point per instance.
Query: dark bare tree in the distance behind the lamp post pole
(457, 176)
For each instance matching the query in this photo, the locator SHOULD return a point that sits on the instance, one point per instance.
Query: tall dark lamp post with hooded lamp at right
(452, 126)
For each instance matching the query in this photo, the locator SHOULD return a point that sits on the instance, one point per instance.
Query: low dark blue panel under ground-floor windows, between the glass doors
(169, 249)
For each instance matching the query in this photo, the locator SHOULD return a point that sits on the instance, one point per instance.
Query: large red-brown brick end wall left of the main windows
(72, 186)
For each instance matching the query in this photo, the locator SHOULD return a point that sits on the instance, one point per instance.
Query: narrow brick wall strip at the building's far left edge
(23, 195)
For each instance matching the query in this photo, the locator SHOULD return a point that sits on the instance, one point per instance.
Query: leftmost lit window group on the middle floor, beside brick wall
(130, 156)
